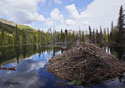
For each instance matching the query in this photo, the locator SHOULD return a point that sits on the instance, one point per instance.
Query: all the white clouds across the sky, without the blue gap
(99, 12)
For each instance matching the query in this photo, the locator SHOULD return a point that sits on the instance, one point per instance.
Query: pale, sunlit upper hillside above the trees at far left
(10, 26)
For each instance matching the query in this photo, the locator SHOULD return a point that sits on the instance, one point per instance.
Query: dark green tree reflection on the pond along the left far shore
(9, 54)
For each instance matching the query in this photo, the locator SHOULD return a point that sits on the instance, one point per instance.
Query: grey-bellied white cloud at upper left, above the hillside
(21, 11)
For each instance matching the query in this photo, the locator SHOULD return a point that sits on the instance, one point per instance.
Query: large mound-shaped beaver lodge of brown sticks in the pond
(87, 63)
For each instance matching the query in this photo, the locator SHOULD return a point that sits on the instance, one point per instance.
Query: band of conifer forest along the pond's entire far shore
(25, 35)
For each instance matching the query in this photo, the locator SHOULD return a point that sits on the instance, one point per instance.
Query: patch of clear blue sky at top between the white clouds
(46, 8)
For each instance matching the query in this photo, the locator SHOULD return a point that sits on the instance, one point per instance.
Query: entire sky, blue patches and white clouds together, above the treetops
(61, 14)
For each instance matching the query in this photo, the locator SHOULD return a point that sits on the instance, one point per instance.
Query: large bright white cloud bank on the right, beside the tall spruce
(99, 12)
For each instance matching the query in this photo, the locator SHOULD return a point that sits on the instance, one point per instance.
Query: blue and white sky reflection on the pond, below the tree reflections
(31, 73)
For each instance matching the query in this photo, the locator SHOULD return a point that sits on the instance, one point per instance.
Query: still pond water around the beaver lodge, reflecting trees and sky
(30, 63)
